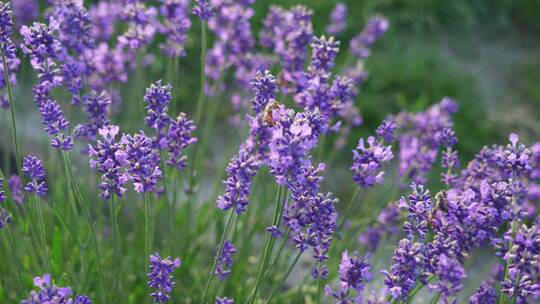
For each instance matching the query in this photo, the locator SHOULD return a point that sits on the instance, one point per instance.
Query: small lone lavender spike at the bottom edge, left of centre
(160, 277)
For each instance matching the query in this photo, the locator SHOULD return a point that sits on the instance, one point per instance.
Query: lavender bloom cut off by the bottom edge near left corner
(49, 293)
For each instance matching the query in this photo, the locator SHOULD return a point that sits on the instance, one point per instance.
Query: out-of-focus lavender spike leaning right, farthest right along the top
(361, 43)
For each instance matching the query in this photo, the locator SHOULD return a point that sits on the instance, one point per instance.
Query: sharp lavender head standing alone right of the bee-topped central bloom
(368, 160)
